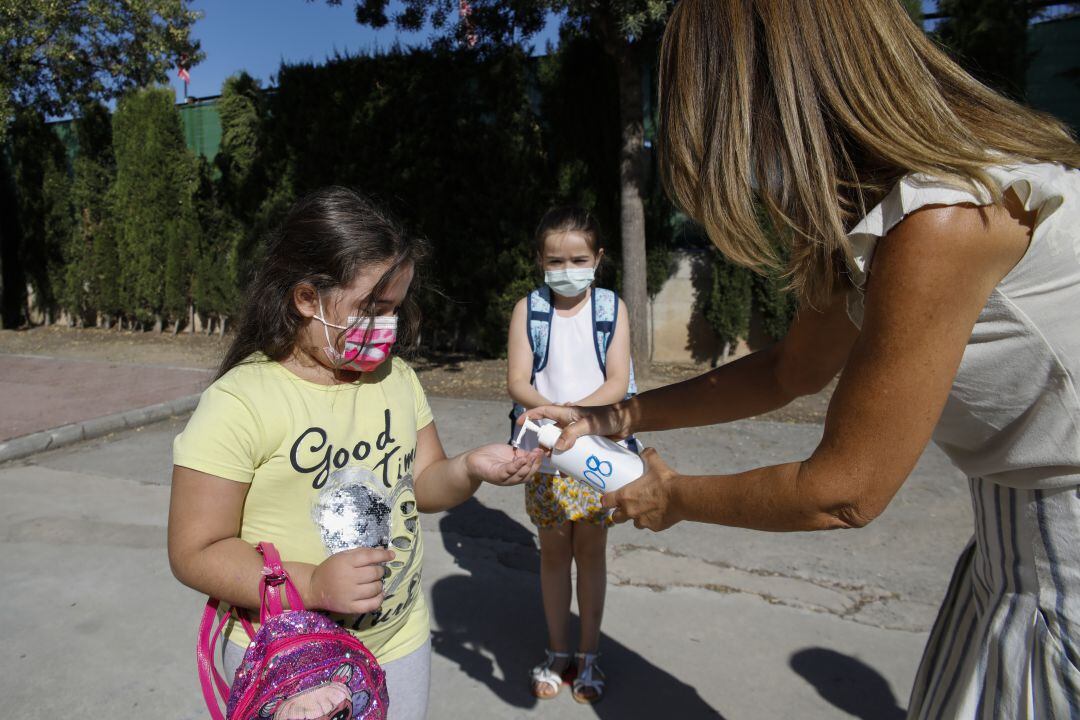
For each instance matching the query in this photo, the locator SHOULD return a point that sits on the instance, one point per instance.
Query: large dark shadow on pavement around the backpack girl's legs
(492, 624)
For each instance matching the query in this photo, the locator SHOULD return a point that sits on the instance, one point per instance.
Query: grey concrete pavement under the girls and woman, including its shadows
(701, 621)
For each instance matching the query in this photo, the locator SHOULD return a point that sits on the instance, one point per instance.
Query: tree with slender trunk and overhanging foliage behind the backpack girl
(627, 30)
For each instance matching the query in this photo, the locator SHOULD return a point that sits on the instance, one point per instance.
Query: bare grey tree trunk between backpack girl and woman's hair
(632, 207)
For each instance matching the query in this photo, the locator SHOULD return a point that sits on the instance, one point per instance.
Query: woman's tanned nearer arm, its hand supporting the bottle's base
(933, 277)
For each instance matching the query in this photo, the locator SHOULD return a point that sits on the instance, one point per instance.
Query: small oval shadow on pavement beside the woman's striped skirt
(848, 684)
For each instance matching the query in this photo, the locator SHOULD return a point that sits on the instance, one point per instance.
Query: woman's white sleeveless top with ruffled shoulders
(1014, 413)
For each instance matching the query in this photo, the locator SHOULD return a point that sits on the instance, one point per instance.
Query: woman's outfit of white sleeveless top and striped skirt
(1007, 641)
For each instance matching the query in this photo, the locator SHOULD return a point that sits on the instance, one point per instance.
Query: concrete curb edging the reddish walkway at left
(24, 446)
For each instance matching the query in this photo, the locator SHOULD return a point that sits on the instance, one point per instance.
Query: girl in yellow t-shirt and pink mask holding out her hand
(314, 438)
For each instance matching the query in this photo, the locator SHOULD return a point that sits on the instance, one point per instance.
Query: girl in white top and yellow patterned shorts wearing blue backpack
(571, 522)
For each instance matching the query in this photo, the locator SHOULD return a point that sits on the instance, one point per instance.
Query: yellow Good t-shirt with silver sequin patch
(330, 469)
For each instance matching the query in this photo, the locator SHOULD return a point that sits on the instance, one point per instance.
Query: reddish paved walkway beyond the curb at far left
(42, 393)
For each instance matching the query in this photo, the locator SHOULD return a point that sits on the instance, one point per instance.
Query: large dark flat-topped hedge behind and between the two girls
(451, 141)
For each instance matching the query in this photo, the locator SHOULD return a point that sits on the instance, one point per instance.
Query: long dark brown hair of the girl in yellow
(327, 239)
